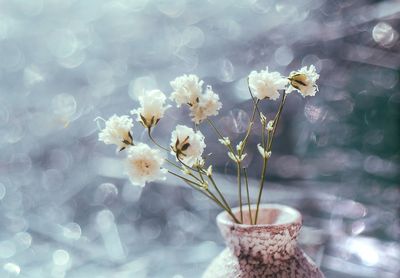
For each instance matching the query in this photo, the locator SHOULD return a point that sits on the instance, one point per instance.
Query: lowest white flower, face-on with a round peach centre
(144, 164)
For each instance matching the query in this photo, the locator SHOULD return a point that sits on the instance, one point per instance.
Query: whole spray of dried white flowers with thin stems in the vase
(146, 163)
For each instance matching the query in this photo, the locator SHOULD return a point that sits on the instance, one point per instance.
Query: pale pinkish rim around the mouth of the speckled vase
(294, 215)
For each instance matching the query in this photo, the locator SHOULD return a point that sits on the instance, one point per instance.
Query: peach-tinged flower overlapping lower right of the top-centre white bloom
(208, 105)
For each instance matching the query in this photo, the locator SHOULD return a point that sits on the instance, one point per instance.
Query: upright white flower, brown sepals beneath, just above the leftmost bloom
(152, 108)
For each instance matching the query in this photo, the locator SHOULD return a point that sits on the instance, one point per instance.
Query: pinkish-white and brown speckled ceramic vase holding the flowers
(268, 249)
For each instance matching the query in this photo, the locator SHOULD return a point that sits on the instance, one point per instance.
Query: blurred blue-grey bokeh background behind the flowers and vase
(67, 210)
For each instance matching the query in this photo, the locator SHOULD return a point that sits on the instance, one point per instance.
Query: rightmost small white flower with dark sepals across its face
(304, 81)
